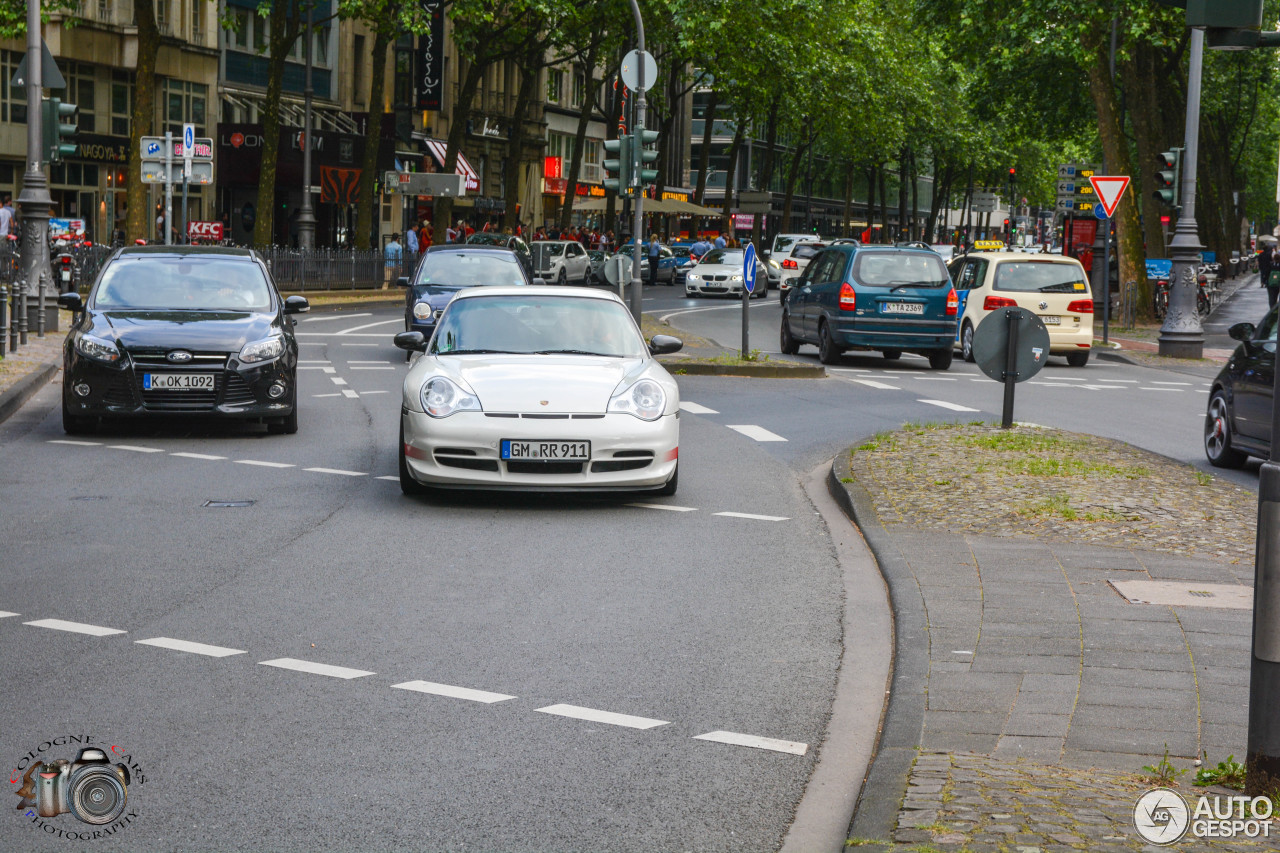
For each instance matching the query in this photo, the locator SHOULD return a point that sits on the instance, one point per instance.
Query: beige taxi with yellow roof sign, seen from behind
(1054, 288)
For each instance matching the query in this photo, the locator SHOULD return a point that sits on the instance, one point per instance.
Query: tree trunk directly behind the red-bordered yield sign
(1133, 267)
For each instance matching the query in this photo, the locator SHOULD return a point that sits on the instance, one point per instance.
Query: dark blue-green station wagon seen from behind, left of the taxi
(889, 299)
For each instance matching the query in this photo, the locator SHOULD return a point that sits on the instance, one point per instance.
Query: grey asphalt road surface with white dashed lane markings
(463, 626)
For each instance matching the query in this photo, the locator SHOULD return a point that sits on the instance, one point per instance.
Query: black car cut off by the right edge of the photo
(1238, 418)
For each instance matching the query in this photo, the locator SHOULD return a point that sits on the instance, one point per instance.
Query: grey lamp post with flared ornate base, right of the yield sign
(1182, 335)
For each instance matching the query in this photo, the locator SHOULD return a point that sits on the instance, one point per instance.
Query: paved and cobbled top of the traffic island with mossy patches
(1072, 631)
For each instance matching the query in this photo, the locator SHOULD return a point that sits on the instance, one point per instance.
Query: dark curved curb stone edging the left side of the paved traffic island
(876, 815)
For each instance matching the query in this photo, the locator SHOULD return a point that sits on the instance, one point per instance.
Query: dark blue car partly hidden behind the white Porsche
(450, 268)
